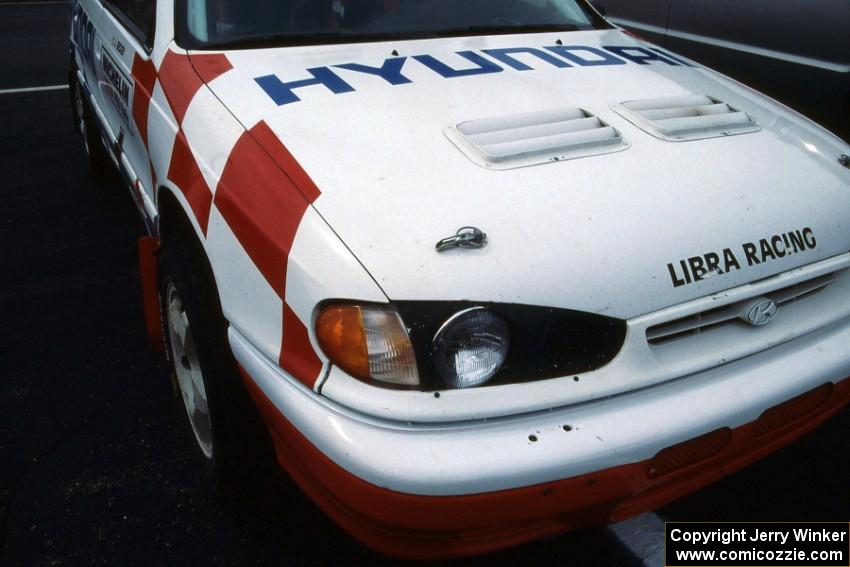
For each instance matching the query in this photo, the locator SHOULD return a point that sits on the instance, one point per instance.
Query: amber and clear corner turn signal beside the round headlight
(368, 342)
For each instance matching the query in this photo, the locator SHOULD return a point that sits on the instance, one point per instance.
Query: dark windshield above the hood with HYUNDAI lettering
(246, 23)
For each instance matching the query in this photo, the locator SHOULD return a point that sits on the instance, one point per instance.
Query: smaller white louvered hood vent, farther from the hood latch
(685, 118)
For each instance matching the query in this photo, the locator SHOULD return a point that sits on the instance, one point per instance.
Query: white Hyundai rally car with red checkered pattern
(489, 270)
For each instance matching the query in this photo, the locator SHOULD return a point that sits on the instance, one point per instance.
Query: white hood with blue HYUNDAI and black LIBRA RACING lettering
(622, 233)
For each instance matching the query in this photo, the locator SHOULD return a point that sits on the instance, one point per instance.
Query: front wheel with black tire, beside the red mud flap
(235, 451)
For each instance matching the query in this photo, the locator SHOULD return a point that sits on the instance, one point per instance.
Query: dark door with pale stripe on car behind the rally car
(795, 50)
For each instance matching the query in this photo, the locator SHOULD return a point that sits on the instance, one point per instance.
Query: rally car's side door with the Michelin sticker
(127, 31)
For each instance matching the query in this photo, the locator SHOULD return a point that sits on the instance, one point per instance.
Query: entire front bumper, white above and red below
(435, 491)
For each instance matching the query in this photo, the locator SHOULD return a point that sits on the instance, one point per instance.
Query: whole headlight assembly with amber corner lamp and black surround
(442, 345)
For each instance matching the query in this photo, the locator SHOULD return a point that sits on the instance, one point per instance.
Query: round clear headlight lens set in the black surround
(471, 347)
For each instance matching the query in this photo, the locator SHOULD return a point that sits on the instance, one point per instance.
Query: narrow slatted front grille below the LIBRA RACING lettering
(733, 314)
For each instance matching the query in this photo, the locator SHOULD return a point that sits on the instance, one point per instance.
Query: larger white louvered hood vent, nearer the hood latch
(520, 140)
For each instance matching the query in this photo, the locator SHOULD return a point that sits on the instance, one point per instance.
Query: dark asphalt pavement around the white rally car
(96, 466)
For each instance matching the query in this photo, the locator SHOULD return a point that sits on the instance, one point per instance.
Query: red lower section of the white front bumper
(436, 527)
